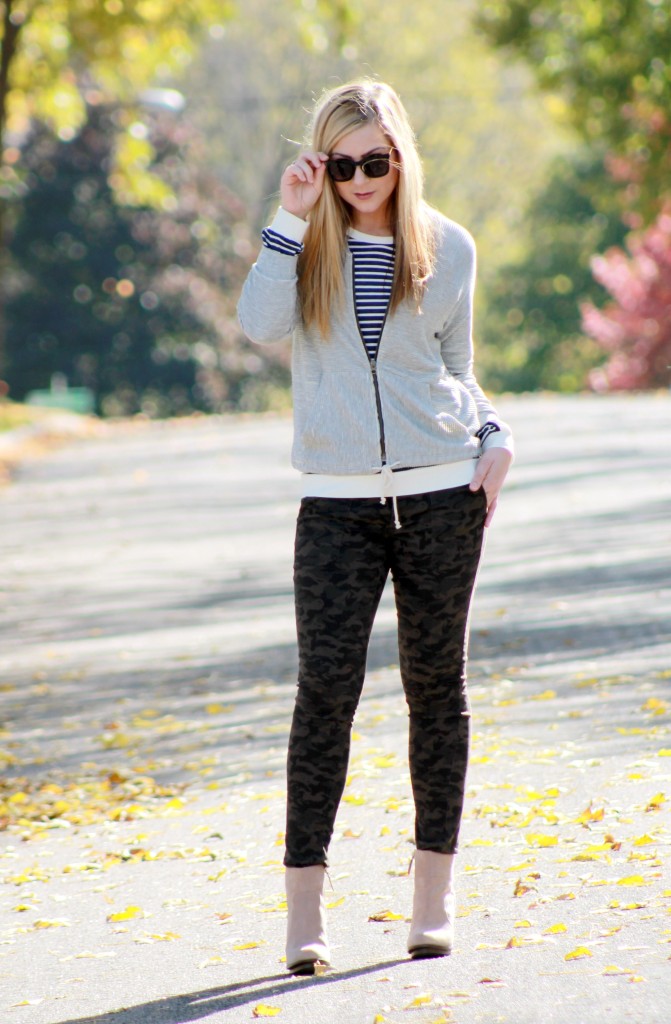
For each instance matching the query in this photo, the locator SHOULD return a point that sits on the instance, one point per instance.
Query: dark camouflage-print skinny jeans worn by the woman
(345, 550)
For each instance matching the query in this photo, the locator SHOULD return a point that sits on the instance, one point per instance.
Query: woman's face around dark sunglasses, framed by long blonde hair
(369, 198)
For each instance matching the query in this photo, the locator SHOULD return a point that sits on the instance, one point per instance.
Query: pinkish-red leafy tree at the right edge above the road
(636, 329)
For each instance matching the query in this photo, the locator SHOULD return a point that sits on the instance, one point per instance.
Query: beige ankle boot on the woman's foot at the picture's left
(307, 942)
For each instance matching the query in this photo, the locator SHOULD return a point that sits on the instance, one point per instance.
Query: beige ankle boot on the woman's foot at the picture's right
(432, 932)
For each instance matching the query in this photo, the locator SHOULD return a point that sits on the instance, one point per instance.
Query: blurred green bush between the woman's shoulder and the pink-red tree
(532, 325)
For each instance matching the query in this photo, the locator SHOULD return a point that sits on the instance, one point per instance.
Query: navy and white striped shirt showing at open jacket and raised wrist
(373, 277)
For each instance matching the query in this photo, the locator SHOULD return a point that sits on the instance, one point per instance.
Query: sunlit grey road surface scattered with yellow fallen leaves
(145, 724)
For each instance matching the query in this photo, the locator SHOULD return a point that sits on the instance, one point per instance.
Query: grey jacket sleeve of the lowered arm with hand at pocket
(457, 350)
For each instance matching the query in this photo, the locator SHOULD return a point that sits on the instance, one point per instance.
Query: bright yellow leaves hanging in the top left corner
(57, 56)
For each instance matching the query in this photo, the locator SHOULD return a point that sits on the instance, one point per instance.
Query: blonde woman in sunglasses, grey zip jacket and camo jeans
(403, 460)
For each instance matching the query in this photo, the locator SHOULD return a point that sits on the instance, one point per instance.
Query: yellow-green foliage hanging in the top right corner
(609, 65)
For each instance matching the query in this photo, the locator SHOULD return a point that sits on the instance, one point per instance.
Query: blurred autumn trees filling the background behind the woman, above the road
(143, 144)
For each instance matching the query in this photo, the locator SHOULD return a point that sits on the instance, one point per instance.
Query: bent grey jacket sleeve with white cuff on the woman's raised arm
(268, 309)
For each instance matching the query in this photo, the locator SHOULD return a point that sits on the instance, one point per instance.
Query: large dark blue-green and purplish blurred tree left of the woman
(136, 304)
